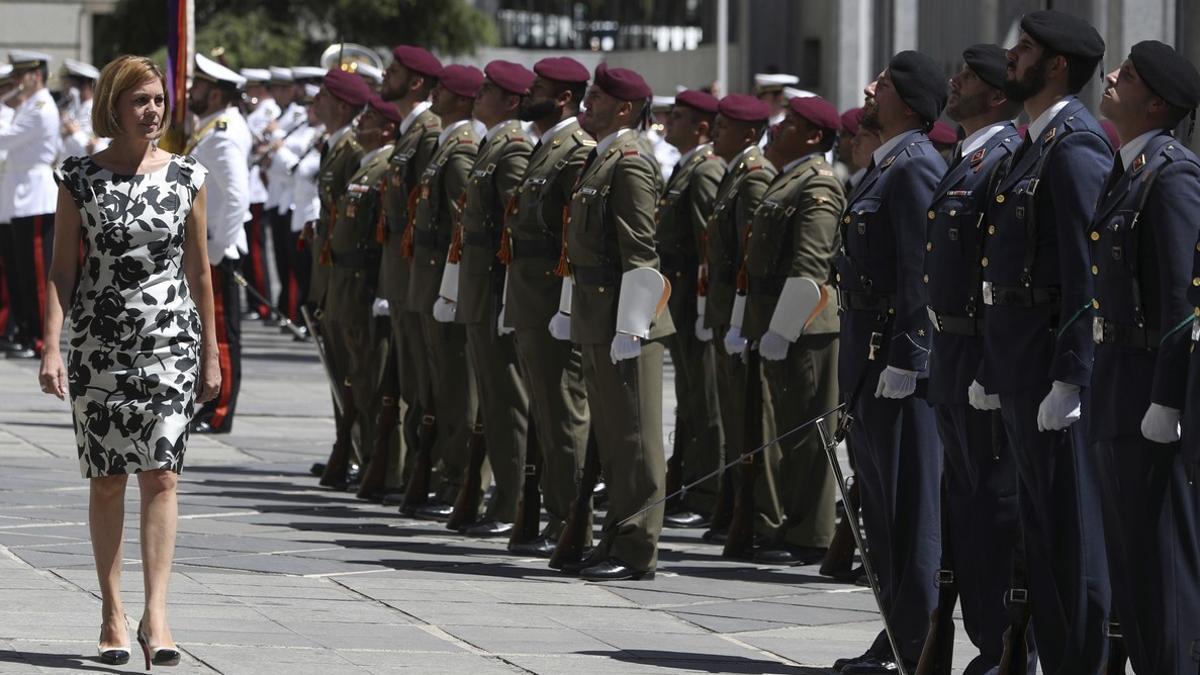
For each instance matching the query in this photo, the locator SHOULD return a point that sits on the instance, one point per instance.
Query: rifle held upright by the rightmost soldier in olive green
(740, 541)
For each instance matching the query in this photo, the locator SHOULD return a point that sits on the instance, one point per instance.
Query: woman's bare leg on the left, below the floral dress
(106, 519)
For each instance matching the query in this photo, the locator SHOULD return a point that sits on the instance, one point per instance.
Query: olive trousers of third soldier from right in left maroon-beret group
(506, 408)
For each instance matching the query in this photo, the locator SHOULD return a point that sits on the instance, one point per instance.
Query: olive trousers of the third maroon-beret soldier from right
(699, 416)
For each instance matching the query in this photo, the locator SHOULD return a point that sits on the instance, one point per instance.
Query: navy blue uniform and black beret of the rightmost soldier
(1143, 238)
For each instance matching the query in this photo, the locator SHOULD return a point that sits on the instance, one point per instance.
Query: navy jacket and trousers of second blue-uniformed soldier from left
(980, 527)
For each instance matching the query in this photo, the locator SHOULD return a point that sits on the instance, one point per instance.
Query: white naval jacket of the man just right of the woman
(223, 145)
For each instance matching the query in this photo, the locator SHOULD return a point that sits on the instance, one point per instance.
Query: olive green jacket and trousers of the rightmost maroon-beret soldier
(796, 234)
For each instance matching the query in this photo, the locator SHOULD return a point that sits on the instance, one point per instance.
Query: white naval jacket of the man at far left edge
(33, 145)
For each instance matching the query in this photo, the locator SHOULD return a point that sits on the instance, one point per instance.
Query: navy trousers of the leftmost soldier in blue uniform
(899, 465)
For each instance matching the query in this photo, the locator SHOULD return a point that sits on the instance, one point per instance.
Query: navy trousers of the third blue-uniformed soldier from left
(1060, 507)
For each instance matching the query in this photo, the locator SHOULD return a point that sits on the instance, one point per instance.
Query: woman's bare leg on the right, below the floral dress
(159, 521)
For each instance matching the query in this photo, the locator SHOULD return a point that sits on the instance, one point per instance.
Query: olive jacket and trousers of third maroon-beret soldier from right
(682, 219)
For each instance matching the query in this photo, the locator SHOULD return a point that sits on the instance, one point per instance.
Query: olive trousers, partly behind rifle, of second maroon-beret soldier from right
(733, 383)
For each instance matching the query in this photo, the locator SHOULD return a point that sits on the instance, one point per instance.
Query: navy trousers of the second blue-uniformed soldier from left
(980, 530)
